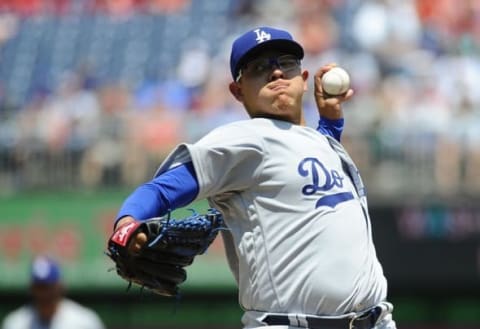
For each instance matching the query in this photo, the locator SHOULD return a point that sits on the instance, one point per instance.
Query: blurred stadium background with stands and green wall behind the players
(95, 93)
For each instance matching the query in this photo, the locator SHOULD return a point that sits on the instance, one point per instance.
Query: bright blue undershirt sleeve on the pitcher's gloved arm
(172, 189)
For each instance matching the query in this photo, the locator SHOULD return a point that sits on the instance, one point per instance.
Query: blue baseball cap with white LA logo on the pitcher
(249, 44)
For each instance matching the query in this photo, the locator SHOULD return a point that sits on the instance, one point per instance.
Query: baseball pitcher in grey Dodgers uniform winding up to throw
(288, 200)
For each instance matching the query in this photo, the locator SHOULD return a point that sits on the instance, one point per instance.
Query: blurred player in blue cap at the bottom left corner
(49, 309)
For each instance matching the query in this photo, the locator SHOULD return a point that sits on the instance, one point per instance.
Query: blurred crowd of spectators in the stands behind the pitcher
(412, 124)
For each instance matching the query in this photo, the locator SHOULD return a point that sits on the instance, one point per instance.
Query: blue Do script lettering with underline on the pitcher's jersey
(322, 180)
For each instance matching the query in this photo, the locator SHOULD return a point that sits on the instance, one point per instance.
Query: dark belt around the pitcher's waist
(365, 320)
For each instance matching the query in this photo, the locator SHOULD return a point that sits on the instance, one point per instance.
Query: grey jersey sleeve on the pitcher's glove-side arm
(229, 159)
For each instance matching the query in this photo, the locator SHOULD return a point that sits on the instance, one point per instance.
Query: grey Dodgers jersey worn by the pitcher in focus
(300, 238)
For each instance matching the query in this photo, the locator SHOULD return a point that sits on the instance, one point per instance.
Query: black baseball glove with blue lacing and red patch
(171, 245)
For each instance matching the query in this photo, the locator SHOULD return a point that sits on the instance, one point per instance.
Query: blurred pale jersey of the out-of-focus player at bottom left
(69, 315)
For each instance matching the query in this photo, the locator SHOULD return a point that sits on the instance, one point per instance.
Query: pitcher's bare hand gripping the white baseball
(329, 106)
